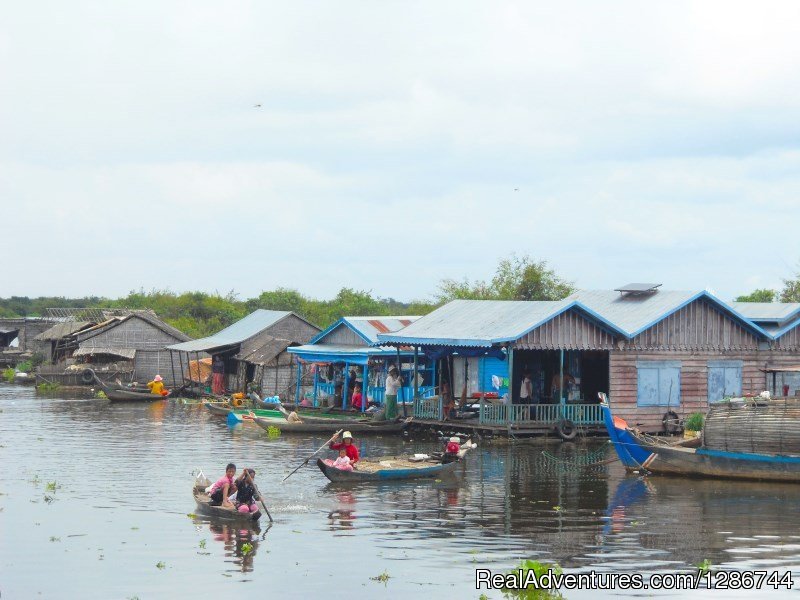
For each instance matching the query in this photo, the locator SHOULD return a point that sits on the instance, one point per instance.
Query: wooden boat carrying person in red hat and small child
(393, 468)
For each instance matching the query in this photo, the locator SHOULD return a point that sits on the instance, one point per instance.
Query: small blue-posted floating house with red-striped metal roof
(347, 354)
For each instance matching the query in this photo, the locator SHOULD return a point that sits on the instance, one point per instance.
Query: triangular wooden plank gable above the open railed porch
(568, 331)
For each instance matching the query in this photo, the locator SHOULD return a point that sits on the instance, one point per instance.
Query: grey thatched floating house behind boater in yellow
(134, 345)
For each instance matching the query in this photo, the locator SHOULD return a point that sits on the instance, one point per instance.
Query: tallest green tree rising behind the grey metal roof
(516, 278)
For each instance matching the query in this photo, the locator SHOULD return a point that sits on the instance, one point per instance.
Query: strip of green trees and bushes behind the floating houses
(199, 314)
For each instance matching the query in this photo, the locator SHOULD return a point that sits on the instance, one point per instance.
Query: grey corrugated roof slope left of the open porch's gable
(477, 322)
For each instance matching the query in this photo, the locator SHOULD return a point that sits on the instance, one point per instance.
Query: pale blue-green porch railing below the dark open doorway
(539, 414)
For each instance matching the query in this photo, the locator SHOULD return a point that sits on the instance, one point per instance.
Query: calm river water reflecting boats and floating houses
(95, 503)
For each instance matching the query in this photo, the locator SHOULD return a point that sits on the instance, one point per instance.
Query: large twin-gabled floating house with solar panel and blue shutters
(660, 355)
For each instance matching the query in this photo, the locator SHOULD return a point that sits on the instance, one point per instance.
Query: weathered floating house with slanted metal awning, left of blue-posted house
(253, 350)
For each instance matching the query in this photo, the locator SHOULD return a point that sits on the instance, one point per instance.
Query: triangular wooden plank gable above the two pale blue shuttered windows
(697, 326)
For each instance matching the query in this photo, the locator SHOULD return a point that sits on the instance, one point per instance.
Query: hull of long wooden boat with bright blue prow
(642, 453)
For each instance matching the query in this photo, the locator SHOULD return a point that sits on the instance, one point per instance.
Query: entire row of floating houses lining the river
(486, 368)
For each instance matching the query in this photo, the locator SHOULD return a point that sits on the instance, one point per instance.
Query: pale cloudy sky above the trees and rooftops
(385, 146)
